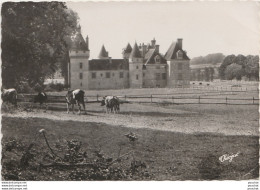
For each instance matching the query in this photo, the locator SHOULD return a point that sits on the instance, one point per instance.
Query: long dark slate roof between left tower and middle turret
(108, 64)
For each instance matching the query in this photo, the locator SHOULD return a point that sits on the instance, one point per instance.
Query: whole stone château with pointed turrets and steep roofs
(141, 67)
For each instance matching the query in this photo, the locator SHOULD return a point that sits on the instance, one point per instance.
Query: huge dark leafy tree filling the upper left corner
(34, 40)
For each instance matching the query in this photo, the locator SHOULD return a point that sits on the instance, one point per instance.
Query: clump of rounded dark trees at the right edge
(236, 67)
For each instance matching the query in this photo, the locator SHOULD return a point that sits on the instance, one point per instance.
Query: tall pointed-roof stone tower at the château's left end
(78, 66)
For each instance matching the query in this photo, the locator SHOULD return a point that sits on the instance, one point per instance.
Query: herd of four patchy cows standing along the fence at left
(72, 97)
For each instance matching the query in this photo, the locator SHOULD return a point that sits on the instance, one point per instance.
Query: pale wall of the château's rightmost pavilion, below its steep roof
(178, 76)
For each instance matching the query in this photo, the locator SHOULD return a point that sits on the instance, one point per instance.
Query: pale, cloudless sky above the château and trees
(205, 27)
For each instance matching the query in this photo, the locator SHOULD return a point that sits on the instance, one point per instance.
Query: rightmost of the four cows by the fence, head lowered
(112, 103)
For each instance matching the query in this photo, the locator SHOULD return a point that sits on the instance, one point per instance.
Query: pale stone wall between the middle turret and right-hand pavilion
(155, 76)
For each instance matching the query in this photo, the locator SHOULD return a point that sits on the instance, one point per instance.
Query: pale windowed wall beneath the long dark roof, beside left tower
(114, 81)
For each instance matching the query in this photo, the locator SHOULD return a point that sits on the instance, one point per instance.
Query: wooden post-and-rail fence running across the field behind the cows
(159, 98)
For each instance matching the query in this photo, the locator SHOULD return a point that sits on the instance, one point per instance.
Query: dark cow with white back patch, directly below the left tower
(75, 97)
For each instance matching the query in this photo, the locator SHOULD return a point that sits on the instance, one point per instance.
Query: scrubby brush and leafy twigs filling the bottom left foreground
(75, 165)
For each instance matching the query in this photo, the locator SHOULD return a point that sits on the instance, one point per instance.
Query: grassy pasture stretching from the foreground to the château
(175, 141)
